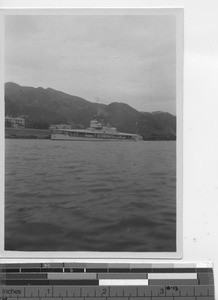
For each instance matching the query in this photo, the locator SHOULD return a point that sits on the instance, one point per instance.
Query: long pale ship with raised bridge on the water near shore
(96, 132)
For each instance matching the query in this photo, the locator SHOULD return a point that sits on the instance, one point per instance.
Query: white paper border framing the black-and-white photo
(178, 13)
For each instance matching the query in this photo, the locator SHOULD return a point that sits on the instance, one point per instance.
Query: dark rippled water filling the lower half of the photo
(90, 196)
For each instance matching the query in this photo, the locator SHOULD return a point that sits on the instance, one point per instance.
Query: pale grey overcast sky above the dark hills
(122, 58)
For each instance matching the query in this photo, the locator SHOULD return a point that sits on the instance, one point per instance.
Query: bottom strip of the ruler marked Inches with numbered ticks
(109, 292)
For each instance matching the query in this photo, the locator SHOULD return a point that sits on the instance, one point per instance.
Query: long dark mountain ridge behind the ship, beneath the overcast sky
(43, 107)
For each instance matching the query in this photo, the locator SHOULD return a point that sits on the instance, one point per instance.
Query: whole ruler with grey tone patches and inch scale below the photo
(100, 281)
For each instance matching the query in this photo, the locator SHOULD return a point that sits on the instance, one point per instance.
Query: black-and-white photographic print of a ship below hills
(91, 130)
